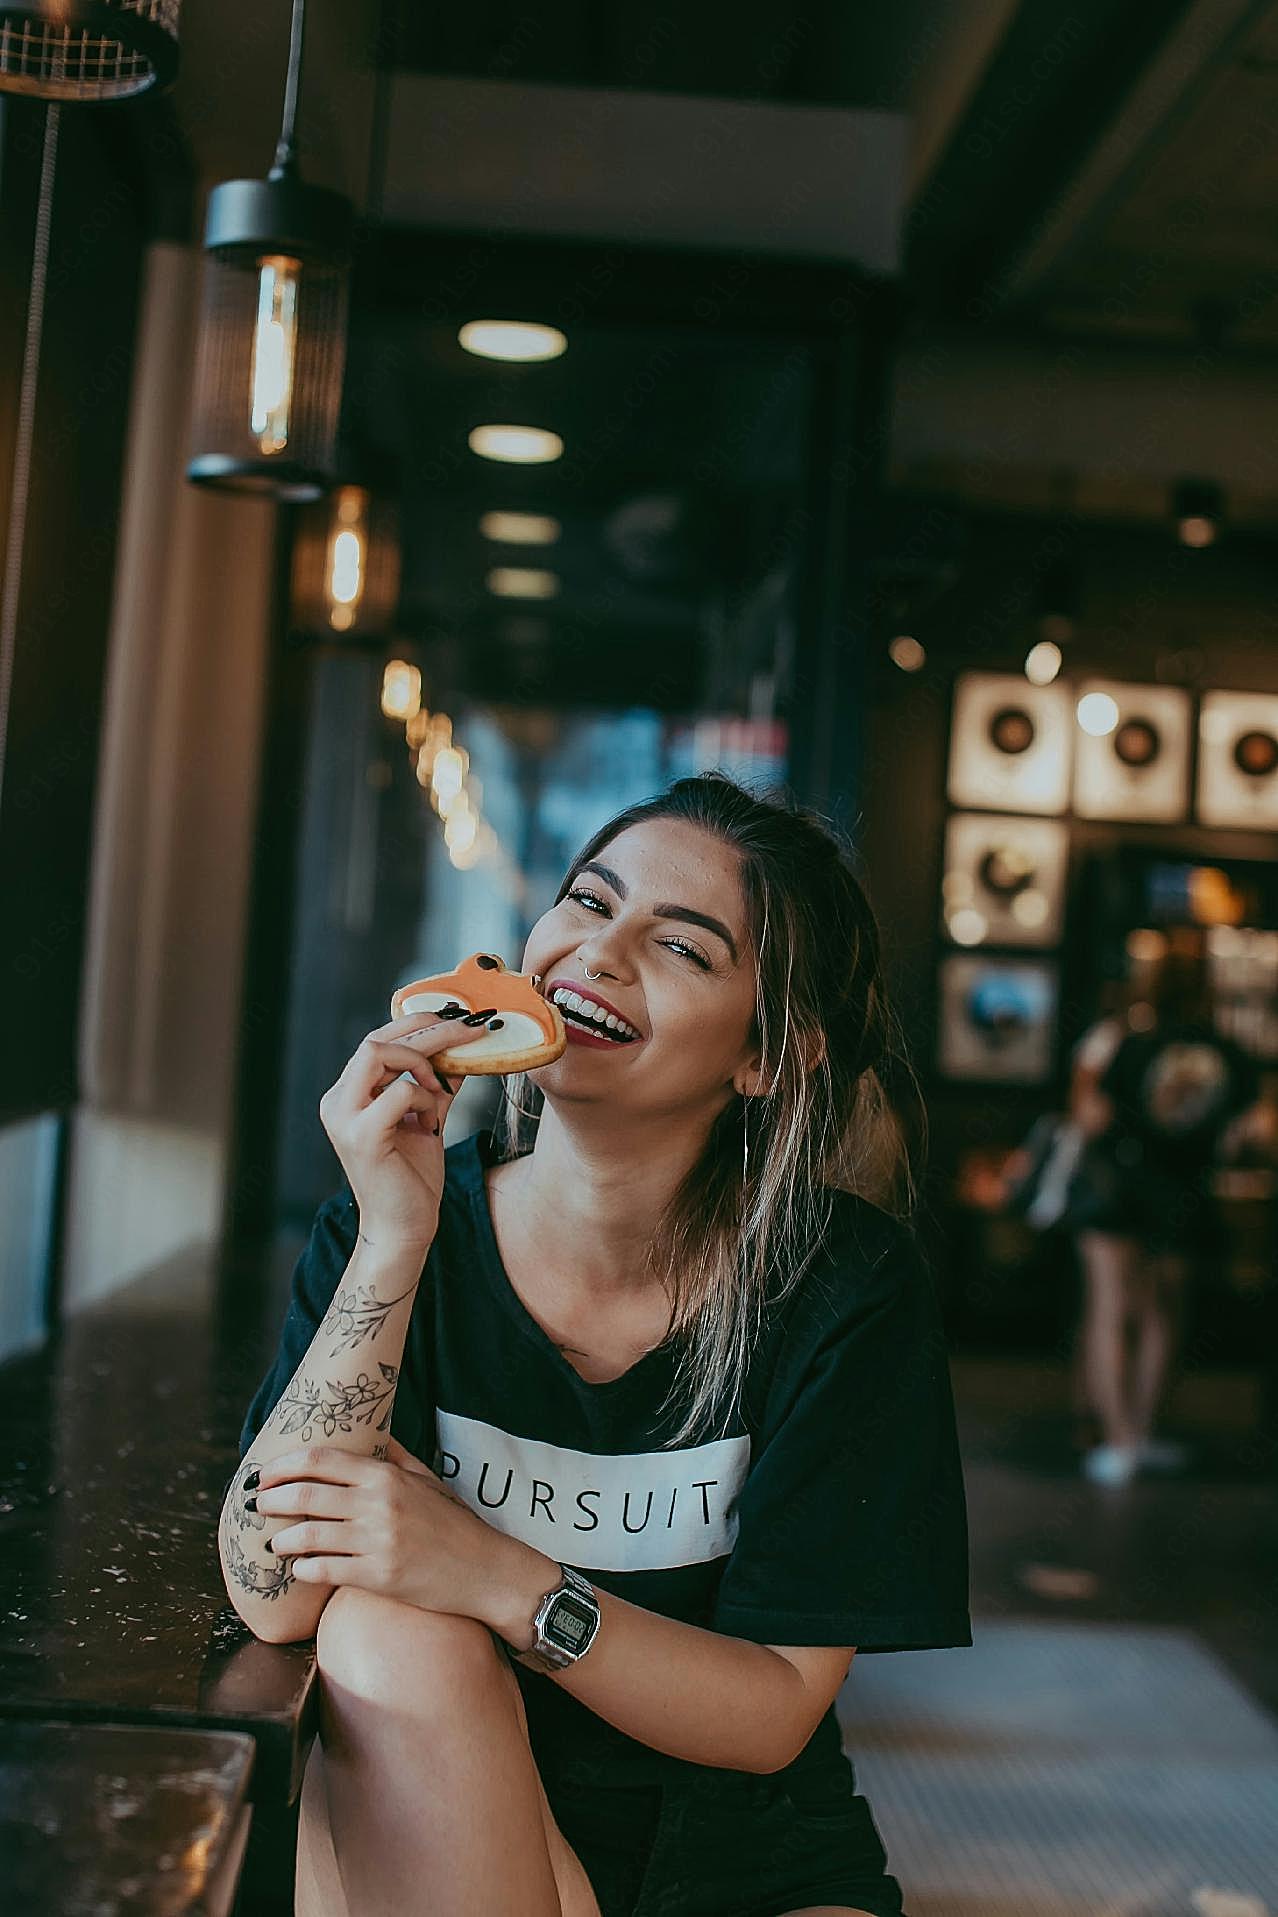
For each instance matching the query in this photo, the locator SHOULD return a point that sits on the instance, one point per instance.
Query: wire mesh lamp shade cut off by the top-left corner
(89, 49)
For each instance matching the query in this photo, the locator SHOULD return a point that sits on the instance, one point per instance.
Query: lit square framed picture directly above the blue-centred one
(1005, 881)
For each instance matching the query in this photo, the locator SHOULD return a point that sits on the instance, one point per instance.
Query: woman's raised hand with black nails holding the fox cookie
(388, 1130)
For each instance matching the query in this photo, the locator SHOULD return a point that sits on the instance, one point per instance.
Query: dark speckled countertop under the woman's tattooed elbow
(116, 1448)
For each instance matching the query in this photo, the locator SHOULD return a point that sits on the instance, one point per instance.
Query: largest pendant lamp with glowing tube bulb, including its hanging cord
(273, 335)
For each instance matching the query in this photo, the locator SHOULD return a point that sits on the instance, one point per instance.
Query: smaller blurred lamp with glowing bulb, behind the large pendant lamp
(346, 566)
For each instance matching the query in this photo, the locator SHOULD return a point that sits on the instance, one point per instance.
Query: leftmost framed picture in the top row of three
(1011, 745)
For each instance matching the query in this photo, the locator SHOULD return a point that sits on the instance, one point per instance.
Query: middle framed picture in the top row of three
(1131, 752)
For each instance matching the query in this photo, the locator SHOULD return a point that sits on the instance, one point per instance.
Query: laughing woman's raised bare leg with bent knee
(432, 1797)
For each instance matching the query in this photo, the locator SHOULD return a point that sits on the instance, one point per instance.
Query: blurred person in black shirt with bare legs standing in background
(1162, 1107)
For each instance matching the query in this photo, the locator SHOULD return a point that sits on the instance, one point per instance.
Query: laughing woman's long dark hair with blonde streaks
(823, 1124)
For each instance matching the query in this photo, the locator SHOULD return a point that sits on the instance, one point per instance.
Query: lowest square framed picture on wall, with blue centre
(997, 1019)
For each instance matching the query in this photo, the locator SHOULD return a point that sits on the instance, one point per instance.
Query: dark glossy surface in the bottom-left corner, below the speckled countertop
(120, 1818)
